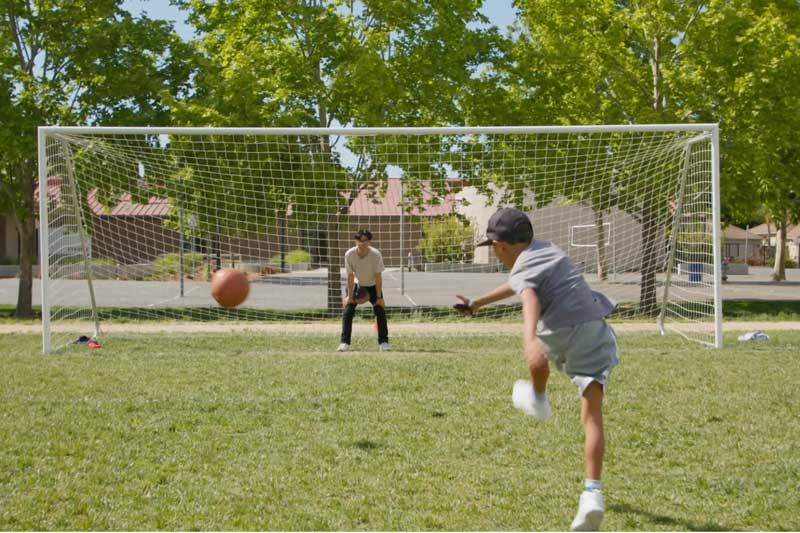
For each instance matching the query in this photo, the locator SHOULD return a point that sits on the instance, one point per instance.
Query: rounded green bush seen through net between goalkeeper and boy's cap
(447, 240)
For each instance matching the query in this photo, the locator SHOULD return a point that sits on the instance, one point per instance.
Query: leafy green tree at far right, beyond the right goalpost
(751, 51)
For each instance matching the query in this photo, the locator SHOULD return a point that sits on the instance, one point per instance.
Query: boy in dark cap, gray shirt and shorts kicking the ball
(564, 323)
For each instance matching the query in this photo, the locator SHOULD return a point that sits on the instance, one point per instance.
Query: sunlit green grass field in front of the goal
(252, 432)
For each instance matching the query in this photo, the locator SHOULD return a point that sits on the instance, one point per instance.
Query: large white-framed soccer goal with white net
(135, 221)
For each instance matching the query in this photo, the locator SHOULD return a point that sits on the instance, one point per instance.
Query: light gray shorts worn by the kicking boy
(585, 352)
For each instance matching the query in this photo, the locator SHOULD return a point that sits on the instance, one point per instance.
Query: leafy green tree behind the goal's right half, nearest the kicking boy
(606, 62)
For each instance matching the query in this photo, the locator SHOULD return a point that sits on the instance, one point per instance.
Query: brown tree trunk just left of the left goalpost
(27, 240)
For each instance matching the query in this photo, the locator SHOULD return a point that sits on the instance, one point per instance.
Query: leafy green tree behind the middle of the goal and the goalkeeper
(322, 62)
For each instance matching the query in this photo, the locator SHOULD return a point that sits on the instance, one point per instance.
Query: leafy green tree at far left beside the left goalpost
(64, 62)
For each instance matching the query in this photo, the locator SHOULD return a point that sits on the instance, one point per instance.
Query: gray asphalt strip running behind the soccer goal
(308, 290)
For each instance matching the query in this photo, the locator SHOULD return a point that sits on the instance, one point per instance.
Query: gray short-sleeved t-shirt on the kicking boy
(564, 295)
